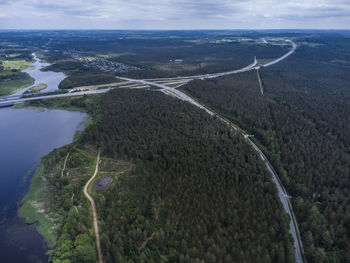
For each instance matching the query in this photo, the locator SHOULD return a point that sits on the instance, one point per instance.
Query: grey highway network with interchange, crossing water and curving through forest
(163, 85)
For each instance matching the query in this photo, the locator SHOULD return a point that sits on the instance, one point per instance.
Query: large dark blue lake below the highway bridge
(25, 136)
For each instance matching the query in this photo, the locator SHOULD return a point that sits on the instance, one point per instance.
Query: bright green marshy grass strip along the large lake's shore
(33, 208)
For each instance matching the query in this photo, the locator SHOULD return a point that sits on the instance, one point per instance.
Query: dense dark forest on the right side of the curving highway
(302, 123)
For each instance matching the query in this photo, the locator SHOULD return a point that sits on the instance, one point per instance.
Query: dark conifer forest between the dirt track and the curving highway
(197, 193)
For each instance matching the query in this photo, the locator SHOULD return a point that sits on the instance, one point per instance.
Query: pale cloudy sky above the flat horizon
(174, 14)
